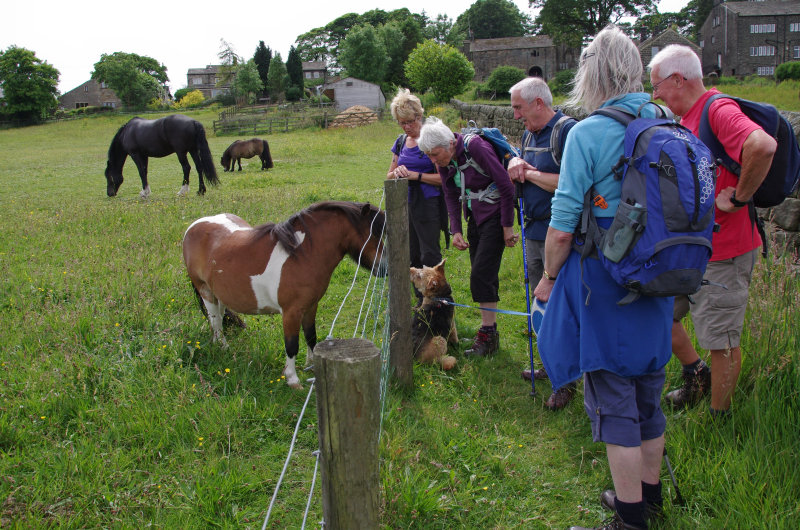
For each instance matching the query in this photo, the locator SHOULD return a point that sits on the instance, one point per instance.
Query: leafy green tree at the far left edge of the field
(29, 85)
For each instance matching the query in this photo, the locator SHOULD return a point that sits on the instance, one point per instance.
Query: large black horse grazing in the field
(142, 139)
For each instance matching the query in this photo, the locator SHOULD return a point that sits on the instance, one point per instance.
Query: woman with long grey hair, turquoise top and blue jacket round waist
(621, 350)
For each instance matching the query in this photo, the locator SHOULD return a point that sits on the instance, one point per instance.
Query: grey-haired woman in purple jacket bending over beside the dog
(486, 196)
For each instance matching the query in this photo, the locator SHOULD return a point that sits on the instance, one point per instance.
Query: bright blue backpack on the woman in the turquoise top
(659, 241)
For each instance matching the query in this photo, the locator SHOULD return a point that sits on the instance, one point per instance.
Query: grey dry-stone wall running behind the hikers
(783, 222)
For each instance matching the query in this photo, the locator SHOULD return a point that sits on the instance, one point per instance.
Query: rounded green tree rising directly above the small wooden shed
(363, 54)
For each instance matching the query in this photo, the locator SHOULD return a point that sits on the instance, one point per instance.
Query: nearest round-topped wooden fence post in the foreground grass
(347, 374)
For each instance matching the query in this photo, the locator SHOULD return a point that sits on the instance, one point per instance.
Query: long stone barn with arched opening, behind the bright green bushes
(536, 55)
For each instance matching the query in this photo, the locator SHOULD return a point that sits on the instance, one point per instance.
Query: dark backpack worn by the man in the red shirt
(782, 178)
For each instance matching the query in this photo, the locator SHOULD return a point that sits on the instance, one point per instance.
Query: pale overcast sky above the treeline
(181, 35)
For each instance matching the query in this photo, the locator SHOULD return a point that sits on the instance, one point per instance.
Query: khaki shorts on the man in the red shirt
(718, 313)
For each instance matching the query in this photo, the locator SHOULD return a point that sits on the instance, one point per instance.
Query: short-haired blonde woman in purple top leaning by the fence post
(424, 184)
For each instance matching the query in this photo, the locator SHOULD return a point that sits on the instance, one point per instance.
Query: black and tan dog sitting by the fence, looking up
(433, 326)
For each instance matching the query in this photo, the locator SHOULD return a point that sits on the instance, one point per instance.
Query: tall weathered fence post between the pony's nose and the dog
(400, 351)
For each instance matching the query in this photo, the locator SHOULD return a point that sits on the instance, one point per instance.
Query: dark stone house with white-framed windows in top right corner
(746, 38)
